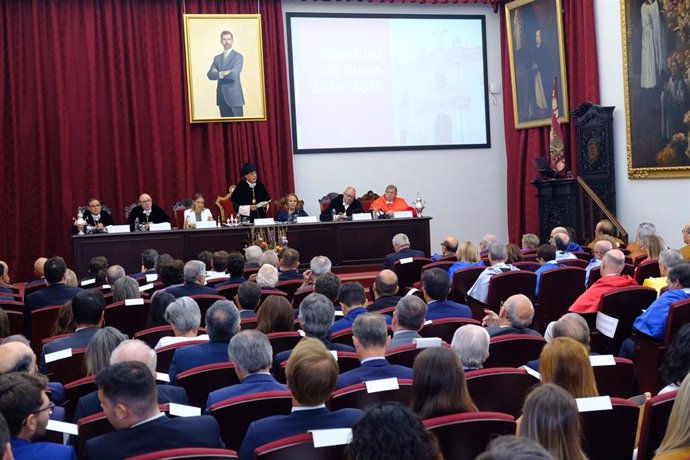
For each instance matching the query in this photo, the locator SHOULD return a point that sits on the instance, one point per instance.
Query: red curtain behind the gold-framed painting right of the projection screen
(523, 146)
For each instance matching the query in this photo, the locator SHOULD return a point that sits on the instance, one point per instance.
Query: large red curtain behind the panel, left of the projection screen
(95, 104)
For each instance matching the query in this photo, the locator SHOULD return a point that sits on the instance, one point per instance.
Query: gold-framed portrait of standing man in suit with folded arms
(225, 71)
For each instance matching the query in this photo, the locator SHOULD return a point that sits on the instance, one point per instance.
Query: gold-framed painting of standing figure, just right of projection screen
(537, 59)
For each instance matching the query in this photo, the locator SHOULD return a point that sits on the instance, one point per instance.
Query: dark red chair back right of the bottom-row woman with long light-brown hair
(610, 433)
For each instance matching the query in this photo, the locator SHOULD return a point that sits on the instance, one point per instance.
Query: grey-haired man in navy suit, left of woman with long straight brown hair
(316, 313)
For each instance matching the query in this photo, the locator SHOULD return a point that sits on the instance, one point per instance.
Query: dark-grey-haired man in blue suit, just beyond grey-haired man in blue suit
(222, 322)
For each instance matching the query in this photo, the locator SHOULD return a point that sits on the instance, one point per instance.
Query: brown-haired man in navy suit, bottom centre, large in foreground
(311, 375)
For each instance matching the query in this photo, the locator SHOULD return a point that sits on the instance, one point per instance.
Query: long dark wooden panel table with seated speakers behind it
(346, 243)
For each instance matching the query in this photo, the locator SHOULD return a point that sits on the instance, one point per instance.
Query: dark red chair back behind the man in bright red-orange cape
(625, 304)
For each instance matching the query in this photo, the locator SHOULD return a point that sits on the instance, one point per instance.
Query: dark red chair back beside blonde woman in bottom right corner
(657, 411)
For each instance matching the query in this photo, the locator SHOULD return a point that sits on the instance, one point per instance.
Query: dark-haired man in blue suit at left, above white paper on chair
(88, 307)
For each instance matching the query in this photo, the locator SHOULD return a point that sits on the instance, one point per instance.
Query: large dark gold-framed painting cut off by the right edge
(656, 70)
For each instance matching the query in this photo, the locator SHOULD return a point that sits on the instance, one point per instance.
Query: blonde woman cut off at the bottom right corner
(676, 442)
